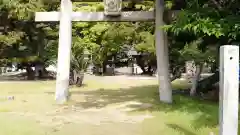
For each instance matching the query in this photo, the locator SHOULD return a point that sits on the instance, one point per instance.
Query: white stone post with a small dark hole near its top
(229, 89)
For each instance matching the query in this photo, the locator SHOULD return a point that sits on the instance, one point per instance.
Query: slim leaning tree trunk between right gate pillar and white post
(196, 79)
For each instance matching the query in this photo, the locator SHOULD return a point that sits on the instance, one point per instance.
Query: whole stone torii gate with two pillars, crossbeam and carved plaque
(112, 12)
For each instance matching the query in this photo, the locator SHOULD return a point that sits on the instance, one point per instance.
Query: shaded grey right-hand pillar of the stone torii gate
(161, 43)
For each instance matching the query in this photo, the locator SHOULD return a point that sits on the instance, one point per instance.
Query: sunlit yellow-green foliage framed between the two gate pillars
(104, 39)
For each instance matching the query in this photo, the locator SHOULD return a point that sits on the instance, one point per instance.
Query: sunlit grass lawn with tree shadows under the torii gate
(119, 108)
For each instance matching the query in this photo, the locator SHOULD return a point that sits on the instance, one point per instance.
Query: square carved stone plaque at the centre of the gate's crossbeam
(112, 7)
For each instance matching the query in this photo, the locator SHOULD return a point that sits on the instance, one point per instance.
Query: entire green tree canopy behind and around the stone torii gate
(200, 24)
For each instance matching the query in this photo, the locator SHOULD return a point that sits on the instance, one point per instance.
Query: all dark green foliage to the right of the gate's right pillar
(208, 24)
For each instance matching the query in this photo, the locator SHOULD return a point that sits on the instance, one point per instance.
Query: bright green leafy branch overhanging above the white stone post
(207, 19)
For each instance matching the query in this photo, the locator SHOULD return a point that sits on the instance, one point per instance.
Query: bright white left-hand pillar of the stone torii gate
(64, 51)
